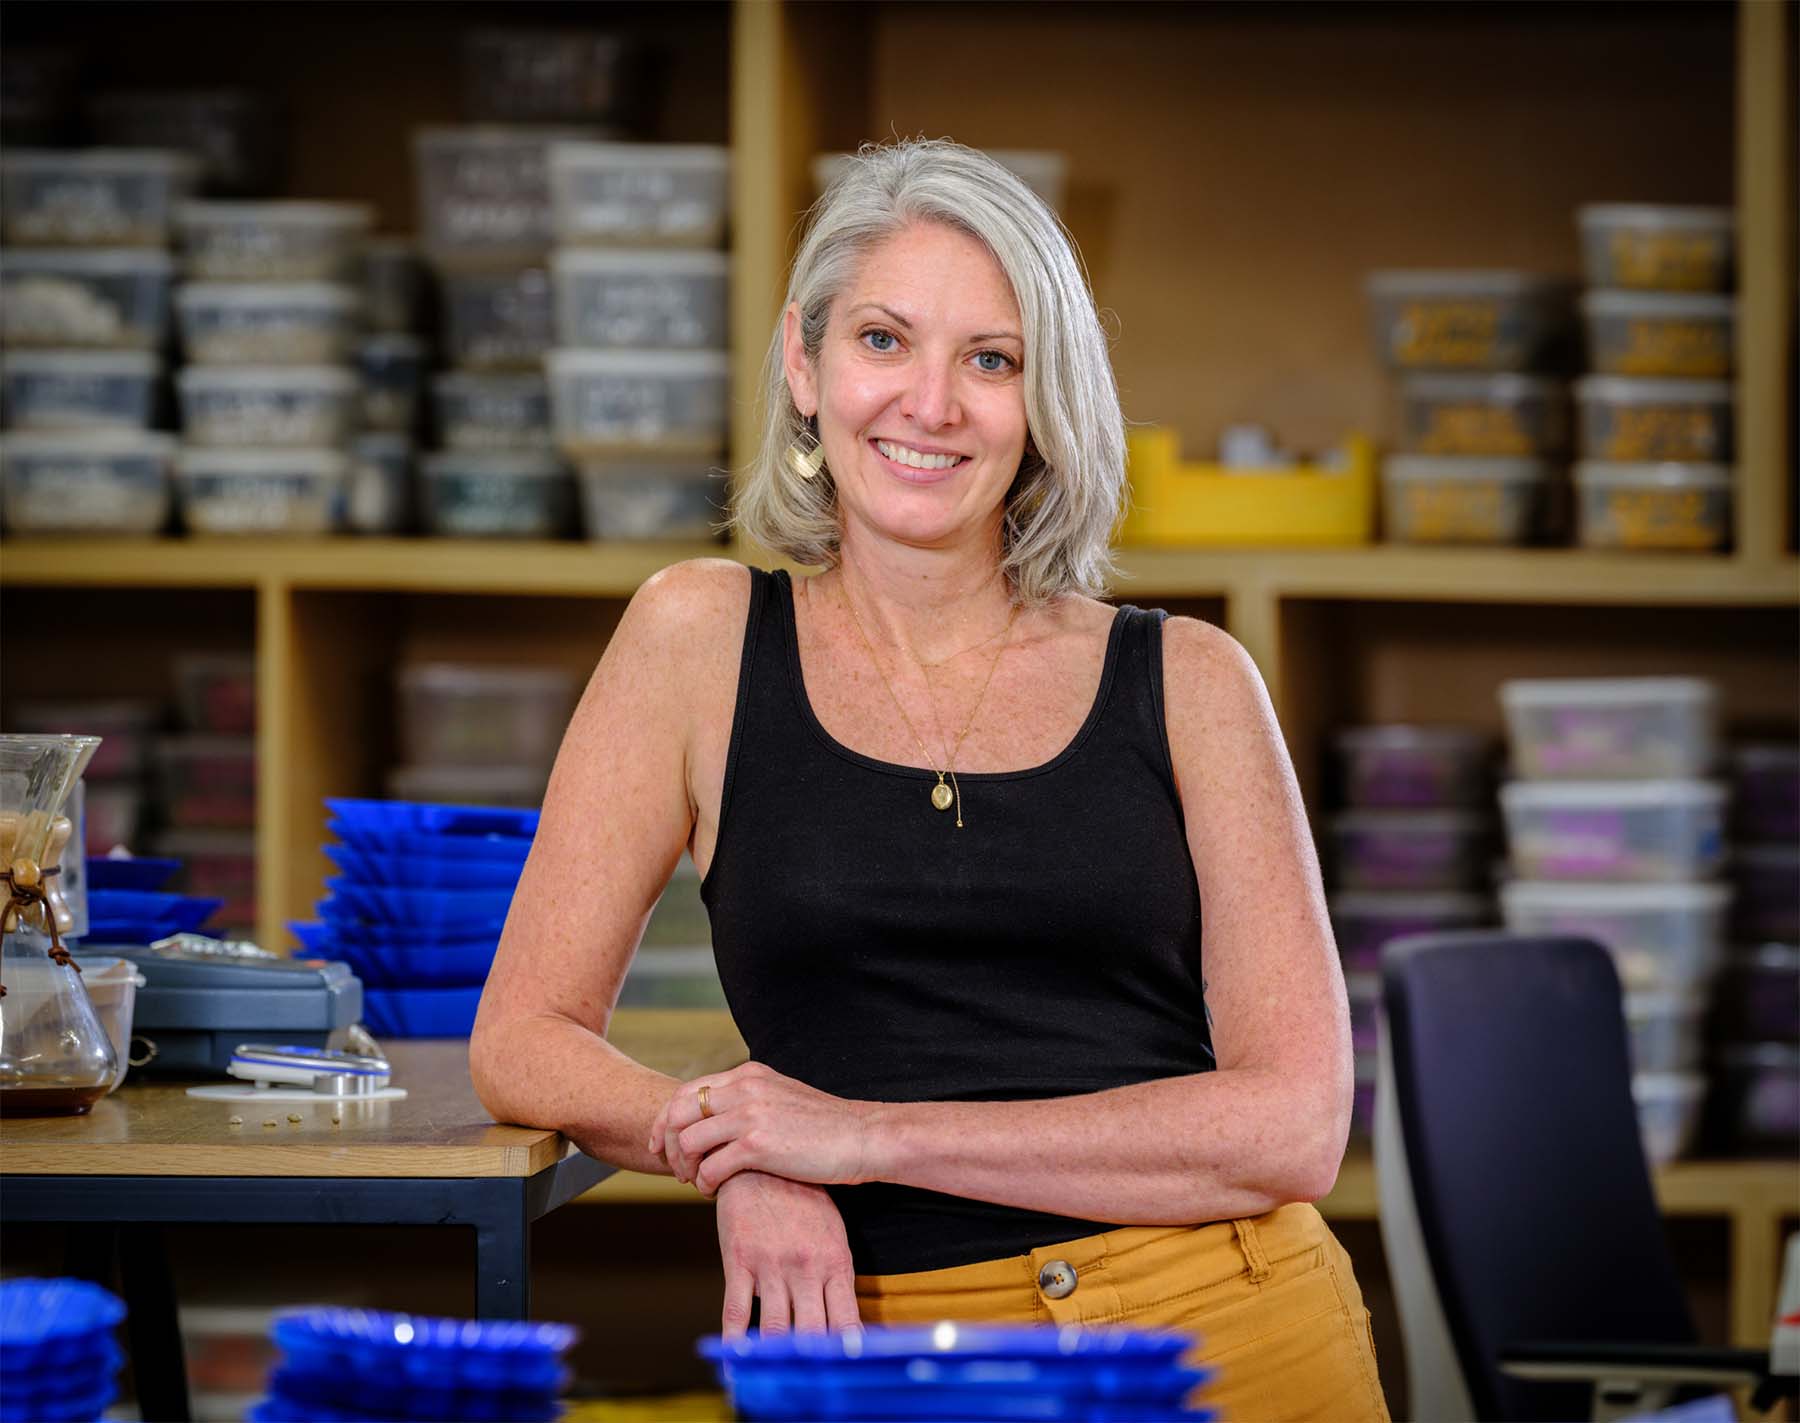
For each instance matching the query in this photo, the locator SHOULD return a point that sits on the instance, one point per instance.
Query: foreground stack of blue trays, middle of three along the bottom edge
(350, 1366)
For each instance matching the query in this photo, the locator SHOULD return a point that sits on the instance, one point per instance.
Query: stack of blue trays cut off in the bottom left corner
(57, 1350)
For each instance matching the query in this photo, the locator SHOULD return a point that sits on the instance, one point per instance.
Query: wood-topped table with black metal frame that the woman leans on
(150, 1156)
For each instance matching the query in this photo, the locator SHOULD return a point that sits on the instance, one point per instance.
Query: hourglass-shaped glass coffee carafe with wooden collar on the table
(55, 1053)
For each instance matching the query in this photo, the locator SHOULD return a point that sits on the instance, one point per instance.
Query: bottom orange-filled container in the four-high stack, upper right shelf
(1680, 508)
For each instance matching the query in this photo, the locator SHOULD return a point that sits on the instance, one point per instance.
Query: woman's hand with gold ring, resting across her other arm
(762, 1122)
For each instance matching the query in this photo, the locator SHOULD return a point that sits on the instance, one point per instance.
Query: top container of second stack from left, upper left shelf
(273, 242)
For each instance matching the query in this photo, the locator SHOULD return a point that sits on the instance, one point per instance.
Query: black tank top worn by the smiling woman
(872, 949)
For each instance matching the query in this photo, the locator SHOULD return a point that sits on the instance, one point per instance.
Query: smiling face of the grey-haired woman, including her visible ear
(919, 389)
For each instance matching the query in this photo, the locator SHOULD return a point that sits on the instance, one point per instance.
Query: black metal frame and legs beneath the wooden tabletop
(499, 1210)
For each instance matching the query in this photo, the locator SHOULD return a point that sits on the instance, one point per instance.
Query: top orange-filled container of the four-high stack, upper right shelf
(1659, 249)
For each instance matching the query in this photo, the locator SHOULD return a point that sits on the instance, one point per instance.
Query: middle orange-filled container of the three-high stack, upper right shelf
(1506, 415)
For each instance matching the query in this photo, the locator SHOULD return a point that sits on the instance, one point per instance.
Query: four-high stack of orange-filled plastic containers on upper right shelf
(1657, 413)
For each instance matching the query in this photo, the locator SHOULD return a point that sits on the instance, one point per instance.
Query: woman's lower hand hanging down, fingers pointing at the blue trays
(784, 1242)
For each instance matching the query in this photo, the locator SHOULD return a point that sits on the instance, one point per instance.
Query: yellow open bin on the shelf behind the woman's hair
(1209, 505)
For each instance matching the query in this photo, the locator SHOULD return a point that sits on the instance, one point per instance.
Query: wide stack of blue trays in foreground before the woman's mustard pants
(962, 1372)
